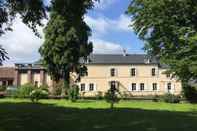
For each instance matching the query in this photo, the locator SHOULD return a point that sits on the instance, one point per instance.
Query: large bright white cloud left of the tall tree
(21, 43)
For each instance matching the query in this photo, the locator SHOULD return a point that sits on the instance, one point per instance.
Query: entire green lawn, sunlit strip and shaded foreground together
(62, 115)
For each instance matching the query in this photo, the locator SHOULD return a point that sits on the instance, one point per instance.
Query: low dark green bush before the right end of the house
(170, 98)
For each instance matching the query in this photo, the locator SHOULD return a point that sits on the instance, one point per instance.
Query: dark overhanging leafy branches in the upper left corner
(31, 12)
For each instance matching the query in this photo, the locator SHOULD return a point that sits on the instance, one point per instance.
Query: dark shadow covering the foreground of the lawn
(47, 117)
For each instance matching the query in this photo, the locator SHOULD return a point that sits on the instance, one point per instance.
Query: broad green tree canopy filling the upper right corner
(169, 30)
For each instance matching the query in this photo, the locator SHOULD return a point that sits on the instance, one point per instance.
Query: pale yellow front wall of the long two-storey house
(100, 76)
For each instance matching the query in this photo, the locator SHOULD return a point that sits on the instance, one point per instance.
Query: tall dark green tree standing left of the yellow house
(66, 39)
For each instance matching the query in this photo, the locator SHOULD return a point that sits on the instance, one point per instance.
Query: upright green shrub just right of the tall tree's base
(73, 93)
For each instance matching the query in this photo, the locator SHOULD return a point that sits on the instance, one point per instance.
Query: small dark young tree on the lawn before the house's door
(111, 96)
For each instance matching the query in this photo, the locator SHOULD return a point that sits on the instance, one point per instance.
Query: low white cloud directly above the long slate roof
(106, 47)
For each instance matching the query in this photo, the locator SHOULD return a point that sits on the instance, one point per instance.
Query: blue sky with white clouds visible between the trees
(110, 34)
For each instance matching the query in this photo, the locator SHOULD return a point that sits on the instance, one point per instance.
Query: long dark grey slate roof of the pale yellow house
(121, 59)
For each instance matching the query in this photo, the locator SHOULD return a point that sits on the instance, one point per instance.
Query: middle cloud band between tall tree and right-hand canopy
(103, 25)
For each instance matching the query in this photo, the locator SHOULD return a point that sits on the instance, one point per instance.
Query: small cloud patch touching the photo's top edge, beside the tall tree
(103, 4)
